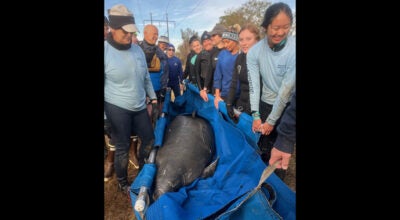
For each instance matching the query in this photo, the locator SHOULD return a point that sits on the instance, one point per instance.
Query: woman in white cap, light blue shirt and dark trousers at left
(126, 85)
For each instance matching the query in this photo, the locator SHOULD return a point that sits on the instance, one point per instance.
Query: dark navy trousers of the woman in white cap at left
(124, 123)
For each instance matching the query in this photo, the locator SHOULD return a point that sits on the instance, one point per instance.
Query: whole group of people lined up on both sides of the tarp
(252, 75)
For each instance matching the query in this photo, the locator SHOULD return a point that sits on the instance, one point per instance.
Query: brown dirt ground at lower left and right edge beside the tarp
(118, 207)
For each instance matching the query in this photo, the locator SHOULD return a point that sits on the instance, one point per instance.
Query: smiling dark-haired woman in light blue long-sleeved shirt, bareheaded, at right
(272, 73)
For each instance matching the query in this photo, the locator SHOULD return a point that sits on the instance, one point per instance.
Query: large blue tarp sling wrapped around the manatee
(238, 171)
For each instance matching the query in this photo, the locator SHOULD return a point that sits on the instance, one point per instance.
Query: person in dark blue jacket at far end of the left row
(175, 70)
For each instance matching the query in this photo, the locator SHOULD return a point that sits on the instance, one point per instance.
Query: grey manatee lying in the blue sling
(188, 148)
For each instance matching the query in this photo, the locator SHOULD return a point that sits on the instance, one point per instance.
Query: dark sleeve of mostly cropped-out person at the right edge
(287, 128)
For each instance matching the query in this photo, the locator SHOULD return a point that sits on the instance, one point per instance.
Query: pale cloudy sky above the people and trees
(198, 15)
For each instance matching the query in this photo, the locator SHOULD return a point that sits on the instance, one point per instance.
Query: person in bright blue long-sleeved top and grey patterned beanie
(225, 65)
